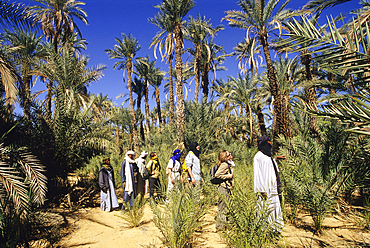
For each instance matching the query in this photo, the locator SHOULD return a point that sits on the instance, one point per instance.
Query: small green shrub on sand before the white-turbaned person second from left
(133, 215)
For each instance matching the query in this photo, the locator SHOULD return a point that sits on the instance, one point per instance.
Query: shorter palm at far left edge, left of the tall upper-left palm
(26, 55)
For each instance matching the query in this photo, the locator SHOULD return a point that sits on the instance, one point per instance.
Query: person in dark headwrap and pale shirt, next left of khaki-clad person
(193, 164)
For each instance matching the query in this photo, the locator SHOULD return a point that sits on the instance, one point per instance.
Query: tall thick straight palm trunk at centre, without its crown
(180, 115)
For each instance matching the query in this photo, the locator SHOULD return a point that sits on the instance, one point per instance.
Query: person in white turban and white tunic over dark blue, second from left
(129, 171)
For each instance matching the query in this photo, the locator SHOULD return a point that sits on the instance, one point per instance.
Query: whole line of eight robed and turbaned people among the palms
(266, 178)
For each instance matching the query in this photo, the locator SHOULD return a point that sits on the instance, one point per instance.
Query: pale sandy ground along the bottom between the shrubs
(93, 228)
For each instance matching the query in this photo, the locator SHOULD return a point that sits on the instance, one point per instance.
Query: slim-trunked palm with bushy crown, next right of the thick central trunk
(197, 31)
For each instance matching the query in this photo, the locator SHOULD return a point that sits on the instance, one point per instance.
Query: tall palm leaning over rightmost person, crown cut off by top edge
(260, 18)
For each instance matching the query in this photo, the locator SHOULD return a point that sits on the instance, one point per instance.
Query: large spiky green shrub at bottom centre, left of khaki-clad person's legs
(180, 215)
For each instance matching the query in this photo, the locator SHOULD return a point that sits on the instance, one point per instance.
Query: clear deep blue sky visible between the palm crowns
(109, 18)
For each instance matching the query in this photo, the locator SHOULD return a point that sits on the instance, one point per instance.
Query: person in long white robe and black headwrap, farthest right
(267, 181)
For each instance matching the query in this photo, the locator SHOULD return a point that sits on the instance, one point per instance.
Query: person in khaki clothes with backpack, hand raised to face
(225, 171)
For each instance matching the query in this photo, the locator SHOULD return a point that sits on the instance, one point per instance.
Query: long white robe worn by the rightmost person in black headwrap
(265, 181)
